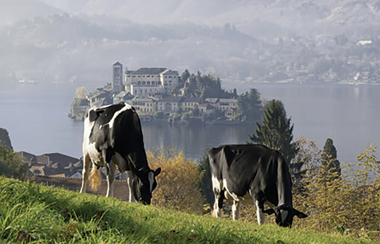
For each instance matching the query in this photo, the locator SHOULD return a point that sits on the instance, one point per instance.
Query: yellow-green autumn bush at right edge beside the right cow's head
(349, 203)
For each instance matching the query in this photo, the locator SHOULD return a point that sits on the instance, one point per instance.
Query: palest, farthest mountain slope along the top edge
(246, 15)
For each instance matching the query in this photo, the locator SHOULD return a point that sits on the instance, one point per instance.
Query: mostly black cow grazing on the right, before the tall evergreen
(252, 173)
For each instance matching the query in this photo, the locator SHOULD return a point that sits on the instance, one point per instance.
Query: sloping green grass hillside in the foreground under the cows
(32, 213)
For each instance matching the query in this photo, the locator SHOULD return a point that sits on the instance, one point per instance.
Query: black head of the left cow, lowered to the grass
(144, 184)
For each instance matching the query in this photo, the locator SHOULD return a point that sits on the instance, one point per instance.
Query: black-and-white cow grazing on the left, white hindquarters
(113, 137)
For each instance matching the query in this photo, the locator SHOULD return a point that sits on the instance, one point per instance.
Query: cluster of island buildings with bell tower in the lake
(157, 93)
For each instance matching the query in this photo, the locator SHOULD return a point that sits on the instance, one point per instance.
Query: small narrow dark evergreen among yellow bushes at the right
(329, 158)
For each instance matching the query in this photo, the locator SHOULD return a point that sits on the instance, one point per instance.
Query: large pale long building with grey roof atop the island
(143, 81)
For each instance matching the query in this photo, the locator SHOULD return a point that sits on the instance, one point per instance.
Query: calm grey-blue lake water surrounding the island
(35, 116)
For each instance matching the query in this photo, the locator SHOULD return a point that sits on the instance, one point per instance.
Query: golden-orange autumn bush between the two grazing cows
(178, 185)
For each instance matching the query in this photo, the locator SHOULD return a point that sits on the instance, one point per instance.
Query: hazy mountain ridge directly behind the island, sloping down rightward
(65, 48)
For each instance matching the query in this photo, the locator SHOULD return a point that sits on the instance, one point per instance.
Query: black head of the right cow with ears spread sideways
(284, 215)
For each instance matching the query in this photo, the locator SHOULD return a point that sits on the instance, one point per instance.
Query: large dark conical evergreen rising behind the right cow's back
(276, 132)
